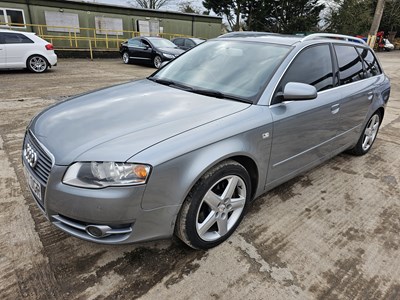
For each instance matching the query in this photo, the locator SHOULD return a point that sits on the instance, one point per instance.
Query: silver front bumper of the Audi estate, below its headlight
(76, 210)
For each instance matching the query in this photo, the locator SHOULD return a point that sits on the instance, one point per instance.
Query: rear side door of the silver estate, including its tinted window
(357, 90)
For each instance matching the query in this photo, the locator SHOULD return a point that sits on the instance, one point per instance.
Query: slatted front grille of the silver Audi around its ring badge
(44, 162)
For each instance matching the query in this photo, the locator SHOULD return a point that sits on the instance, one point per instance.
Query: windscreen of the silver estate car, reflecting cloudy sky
(235, 68)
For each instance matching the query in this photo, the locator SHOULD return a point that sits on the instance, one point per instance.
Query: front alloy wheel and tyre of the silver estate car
(215, 206)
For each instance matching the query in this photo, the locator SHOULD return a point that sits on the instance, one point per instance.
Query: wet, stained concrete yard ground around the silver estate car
(332, 233)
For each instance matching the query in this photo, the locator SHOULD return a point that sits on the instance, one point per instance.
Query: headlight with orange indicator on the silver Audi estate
(103, 174)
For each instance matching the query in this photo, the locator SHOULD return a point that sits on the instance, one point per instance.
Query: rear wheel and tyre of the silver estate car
(368, 135)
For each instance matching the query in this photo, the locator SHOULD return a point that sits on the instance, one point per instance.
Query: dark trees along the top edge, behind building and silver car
(351, 17)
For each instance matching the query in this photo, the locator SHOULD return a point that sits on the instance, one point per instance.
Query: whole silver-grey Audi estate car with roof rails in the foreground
(185, 150)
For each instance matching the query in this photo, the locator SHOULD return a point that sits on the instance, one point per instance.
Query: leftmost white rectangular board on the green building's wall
(63, 22)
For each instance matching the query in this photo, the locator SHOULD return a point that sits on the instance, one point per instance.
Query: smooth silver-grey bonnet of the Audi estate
(115, 123)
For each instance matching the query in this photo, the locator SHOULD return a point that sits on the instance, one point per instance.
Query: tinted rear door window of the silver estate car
(350, 64)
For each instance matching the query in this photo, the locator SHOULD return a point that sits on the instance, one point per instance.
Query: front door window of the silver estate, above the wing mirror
(312, 66)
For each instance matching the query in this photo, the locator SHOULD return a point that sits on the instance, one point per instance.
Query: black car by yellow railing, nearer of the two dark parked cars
(151, 50)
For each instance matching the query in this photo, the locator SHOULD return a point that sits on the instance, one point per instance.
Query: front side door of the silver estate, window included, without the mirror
(304, 131)
